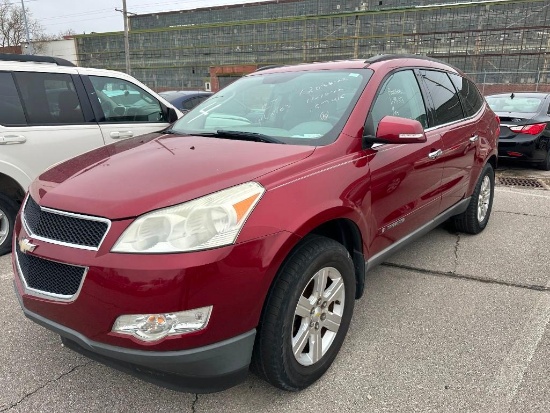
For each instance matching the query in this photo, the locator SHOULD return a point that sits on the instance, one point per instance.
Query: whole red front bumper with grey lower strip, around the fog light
(233, 280)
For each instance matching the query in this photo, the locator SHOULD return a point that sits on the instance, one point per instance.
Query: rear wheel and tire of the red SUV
(475, 218)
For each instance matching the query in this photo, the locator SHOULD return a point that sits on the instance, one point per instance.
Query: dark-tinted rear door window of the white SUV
(49, 98)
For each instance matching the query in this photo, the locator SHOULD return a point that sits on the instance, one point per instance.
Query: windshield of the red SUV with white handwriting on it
(300, 108)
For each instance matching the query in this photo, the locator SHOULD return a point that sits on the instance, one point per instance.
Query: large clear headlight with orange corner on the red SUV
(208, 222)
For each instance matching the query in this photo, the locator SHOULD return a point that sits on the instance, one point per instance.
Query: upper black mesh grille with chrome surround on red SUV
(64, 227)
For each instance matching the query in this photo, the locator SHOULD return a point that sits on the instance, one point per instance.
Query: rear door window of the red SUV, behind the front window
(444, 96)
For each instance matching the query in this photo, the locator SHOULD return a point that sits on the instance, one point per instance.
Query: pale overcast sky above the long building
(86, 16)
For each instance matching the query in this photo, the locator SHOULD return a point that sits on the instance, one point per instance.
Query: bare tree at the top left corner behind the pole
(12, 25)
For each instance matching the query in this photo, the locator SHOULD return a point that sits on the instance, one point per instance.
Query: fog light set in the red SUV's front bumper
(154, 327)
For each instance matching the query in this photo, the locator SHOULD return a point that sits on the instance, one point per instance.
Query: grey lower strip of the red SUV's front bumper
(201, 370)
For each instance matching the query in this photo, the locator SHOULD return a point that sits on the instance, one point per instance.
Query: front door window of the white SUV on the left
(124, 102)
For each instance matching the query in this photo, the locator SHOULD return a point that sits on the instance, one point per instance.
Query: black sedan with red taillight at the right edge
(524, 126)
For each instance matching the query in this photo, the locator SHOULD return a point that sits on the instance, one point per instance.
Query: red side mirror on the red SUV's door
(396, 130)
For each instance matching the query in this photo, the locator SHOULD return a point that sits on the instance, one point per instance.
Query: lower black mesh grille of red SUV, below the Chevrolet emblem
(50, 277)
